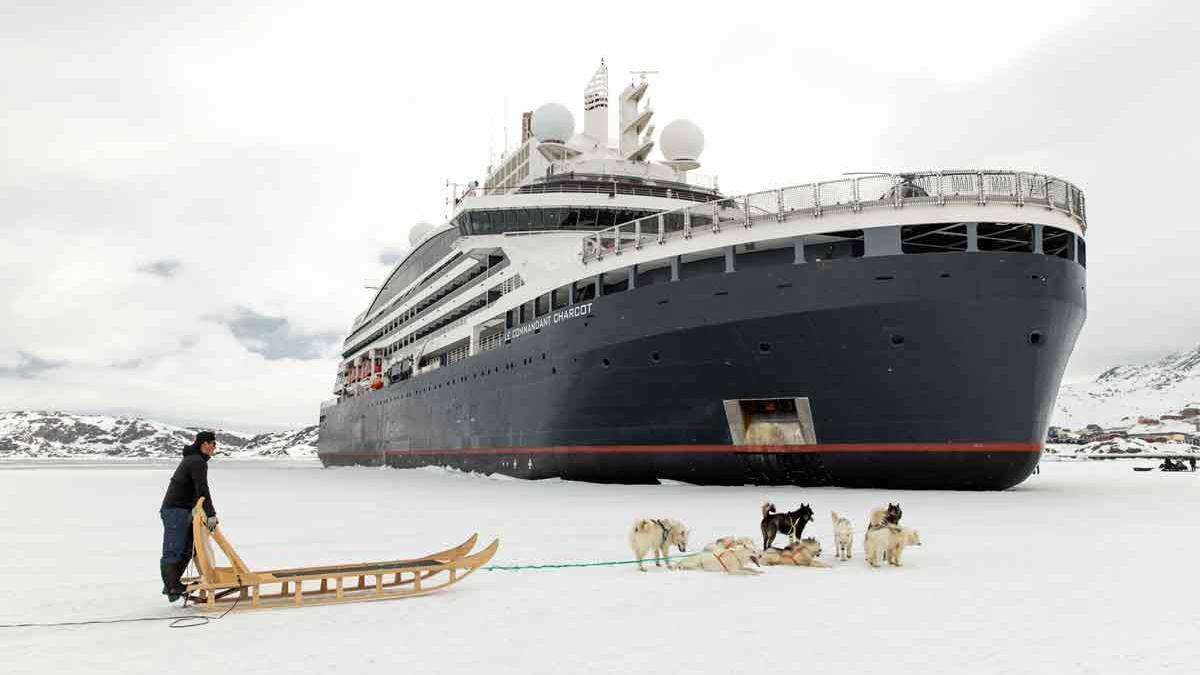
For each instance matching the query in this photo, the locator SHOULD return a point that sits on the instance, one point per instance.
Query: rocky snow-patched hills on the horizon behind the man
(51, 434)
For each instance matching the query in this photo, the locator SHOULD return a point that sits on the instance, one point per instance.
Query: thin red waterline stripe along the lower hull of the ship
(723, 449)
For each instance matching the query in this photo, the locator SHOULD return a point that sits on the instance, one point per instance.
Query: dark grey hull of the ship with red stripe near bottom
(928, 372)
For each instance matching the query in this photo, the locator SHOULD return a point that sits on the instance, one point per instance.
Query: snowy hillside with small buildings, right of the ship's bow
(1124, 393)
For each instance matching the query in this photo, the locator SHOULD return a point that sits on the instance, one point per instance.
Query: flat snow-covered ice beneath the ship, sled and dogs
(1087, 568)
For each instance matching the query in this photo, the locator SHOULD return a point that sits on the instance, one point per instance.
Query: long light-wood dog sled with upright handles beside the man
(218, 588)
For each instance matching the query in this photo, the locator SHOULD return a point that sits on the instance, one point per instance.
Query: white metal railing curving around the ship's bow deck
(847, 195)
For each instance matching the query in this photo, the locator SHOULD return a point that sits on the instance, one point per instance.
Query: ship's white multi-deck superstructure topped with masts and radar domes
(515, 237)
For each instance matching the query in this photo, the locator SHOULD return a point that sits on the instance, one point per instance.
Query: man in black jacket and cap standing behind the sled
(188, 485)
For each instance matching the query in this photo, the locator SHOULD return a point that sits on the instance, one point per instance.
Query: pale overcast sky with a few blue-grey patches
(194, 196)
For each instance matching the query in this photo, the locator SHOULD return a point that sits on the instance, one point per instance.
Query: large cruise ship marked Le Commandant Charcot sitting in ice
(597, 312)
